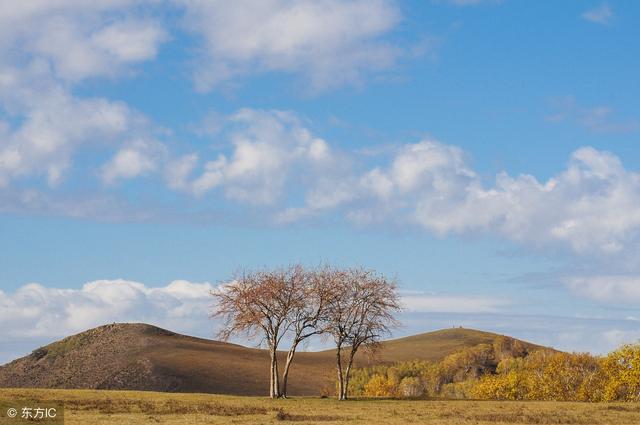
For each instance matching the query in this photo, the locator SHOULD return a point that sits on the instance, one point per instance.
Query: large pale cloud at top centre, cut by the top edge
(328, 42)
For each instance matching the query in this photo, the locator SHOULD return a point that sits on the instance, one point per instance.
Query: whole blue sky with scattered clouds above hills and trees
(483, 152)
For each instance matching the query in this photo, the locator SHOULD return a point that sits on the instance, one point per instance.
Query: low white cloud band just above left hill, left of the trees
(36, 311)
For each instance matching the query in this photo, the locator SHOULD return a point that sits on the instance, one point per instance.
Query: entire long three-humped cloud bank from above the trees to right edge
(274, 157)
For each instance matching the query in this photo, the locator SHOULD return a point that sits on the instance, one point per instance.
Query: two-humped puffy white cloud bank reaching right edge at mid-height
(596, 201)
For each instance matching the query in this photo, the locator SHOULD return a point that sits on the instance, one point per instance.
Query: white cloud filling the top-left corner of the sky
(79, 39)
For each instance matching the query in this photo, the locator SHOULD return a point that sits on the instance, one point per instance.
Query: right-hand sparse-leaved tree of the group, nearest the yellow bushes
(360, 312)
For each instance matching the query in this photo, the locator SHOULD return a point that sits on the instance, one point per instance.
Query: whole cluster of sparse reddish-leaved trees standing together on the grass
(355, 307)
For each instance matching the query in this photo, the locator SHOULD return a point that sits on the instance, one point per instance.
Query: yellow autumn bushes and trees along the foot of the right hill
(506, 370)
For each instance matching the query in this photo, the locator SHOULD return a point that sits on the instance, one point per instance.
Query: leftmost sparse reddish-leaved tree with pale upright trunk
(257, 303)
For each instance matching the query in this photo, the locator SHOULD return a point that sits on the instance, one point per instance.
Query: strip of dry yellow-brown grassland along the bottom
(131, 407)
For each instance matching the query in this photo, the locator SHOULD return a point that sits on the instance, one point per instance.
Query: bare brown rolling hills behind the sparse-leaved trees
(144, 357)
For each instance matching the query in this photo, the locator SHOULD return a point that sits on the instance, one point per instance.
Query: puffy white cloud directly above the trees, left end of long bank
(268, 146)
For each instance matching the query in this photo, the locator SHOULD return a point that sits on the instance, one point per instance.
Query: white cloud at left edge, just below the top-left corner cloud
(56, 124)
